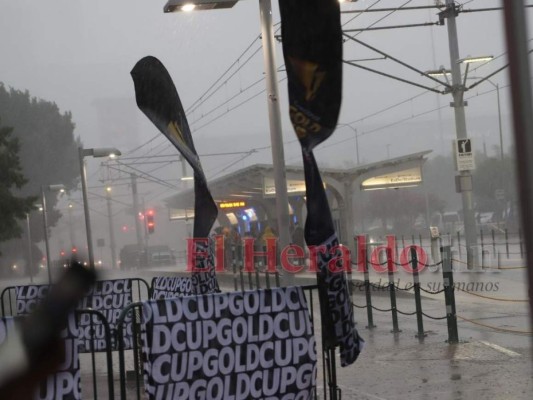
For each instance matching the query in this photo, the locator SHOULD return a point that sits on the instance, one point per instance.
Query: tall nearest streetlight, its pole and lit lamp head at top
(276, 139)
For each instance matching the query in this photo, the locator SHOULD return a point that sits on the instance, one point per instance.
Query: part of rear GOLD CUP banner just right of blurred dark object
(109, 297)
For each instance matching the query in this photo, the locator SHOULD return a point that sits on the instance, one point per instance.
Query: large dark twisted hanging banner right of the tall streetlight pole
(312, 49)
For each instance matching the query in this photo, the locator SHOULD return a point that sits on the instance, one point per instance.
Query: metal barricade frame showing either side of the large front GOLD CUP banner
(132, 381)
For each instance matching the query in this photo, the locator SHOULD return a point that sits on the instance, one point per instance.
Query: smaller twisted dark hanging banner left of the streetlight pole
(158, 99)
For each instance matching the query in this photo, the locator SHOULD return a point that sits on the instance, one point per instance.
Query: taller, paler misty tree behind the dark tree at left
(48, 154)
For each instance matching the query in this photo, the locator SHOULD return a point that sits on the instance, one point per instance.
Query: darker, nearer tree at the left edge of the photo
(12, 208)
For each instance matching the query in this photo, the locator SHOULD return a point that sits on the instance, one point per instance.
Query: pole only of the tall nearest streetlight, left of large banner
(276, 138)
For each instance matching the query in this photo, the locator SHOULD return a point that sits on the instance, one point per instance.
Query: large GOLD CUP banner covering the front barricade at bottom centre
(239, 345)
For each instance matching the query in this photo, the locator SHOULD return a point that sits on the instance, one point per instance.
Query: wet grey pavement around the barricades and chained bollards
(491, 361)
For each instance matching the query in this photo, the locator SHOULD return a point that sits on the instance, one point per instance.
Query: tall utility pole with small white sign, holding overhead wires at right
(458, 104)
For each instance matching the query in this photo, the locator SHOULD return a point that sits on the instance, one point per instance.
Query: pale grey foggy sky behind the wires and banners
(79, 54)
